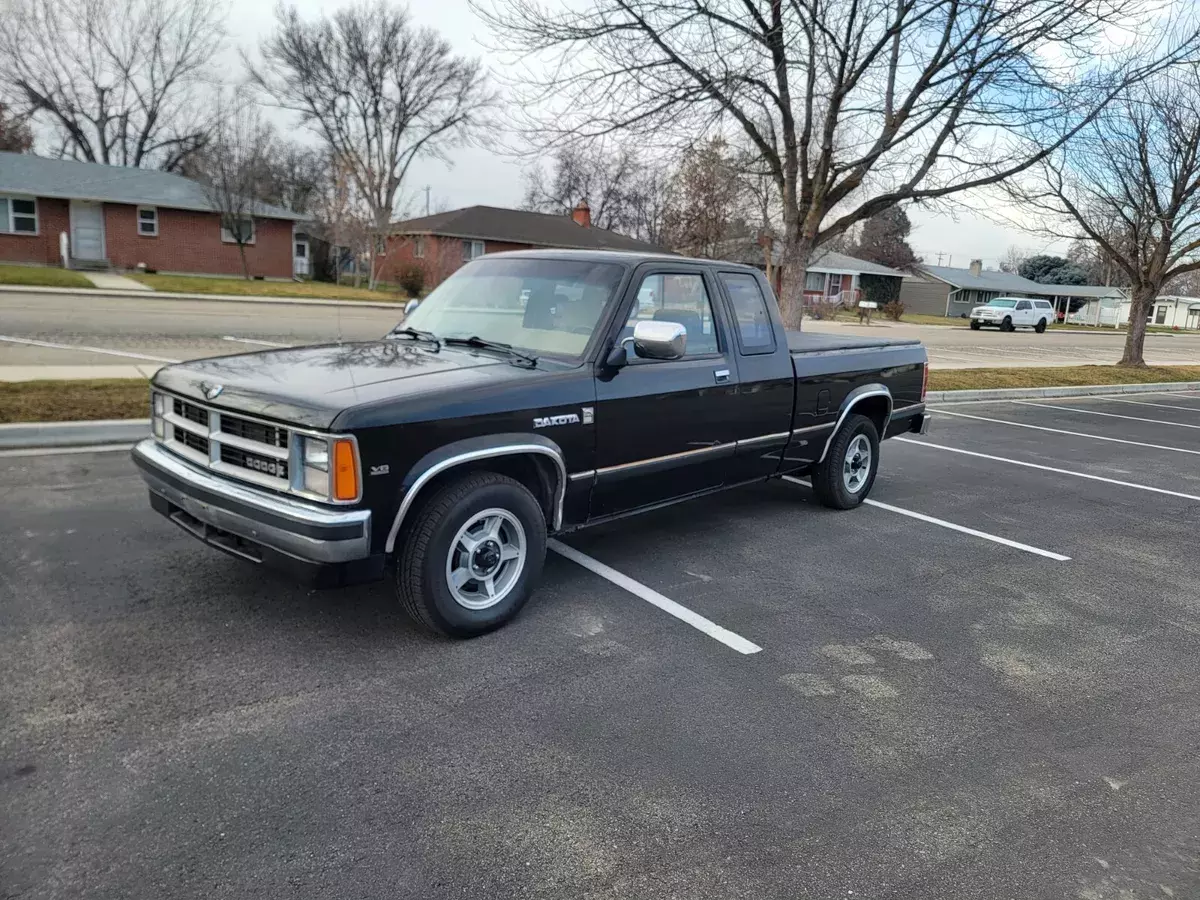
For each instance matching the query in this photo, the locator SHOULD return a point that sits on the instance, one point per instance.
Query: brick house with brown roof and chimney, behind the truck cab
(442, 243)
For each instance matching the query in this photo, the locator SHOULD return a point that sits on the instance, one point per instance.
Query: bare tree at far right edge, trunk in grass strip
(1131, 183)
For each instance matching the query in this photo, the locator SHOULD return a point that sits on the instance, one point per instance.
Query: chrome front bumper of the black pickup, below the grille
(213, 509)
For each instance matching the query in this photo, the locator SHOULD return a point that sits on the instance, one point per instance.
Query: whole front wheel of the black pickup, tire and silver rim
(475, 556)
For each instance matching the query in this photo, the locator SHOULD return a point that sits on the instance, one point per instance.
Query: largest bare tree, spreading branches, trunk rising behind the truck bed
(855, 106)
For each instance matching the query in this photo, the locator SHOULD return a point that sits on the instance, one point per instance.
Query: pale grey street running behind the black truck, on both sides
(151, 332)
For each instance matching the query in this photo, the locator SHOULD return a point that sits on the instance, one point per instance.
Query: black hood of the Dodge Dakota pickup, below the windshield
(313, 386)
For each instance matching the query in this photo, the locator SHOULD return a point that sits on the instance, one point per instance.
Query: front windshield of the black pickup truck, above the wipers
(539, 305)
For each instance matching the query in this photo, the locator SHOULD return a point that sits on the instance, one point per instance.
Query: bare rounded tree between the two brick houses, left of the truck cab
(377, 91)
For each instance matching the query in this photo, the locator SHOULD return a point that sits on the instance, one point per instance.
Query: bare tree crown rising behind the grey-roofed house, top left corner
(119, 82)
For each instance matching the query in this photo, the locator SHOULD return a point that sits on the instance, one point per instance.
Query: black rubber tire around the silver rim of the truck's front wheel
(422, 584)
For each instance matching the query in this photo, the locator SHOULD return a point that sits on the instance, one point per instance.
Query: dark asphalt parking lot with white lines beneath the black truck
(933, 713)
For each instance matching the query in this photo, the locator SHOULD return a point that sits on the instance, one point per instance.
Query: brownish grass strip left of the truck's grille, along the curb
(53, 401)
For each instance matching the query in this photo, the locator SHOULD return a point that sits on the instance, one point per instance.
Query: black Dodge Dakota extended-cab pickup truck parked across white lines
(531, 394)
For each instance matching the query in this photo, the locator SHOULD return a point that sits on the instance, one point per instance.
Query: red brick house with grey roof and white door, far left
(122, 218)
